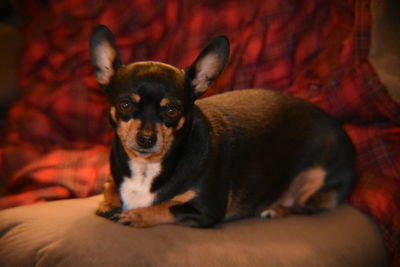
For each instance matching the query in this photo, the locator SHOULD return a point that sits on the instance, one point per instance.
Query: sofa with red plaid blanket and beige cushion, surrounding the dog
(340, 55)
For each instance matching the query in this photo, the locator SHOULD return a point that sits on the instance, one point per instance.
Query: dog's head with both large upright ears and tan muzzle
(151, 102)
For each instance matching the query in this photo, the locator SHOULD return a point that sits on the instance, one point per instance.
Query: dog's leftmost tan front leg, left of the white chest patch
(111, 203)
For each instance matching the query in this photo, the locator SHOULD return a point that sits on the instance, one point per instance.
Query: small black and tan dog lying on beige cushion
(238, 154)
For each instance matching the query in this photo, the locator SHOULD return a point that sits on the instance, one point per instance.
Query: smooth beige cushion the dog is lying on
(68, 233)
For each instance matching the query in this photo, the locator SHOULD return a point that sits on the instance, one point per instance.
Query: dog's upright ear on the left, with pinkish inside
(104, 54)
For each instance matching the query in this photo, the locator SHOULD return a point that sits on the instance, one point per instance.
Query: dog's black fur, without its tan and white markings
(244, 145)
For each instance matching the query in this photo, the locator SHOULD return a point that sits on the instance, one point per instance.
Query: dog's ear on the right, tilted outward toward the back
(208, 65)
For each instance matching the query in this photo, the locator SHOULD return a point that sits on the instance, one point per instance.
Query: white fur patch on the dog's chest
(135, 190)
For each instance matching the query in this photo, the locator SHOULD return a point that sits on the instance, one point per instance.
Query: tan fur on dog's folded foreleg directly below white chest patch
(154, 215)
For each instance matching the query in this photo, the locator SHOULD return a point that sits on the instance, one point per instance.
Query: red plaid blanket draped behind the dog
(57, 137)
